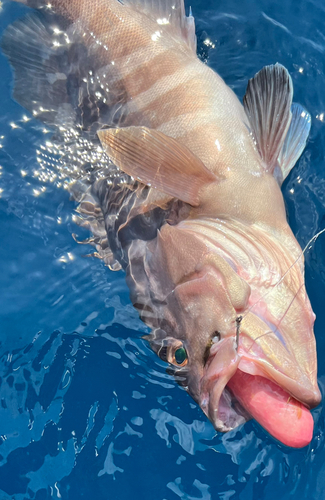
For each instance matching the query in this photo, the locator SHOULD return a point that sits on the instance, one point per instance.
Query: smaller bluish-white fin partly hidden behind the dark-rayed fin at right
(295, 140)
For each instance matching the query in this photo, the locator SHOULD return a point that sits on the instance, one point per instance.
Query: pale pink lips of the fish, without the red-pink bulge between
(216, 400)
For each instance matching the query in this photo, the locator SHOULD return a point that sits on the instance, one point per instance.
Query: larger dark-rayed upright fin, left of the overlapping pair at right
(267, 103)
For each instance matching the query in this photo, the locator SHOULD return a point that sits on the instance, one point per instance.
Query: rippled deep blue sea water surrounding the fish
(86, 409)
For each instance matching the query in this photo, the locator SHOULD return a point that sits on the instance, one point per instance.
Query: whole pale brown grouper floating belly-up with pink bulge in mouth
(188, 201)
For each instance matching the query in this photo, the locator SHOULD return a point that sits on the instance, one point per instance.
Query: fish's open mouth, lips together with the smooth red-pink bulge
(240, 388)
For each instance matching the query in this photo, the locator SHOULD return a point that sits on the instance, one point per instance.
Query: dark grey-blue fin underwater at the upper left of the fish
(53, 71)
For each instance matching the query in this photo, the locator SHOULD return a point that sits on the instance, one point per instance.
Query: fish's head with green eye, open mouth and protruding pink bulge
(221, 332)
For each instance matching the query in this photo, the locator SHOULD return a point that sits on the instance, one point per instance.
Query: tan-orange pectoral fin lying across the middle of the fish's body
(157, 160)
